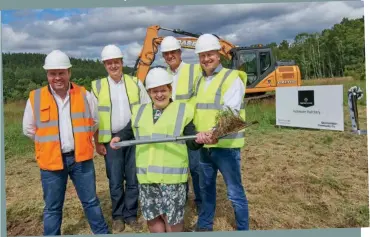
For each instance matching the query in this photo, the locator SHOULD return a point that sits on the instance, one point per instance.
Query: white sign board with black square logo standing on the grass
(317, 107)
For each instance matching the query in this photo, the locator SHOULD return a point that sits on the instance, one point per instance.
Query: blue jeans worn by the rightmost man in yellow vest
(228, 162)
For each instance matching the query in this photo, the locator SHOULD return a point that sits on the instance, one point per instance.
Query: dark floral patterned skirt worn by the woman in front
(158, 199)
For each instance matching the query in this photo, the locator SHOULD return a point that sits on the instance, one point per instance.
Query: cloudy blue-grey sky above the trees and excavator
(83, 33)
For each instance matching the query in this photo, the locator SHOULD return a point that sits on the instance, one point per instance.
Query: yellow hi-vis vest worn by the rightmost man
(208, 102)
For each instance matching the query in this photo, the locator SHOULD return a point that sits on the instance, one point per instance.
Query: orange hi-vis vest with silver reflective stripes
(47, 138)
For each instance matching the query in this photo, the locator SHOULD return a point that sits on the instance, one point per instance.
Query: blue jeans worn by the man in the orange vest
(54, 185)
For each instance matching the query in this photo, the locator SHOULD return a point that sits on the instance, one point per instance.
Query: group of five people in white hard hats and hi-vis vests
(65, 120)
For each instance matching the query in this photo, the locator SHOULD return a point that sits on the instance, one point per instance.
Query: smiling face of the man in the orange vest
(59, 79)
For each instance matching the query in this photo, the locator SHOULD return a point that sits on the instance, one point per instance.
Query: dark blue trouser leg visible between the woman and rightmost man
(194, 156)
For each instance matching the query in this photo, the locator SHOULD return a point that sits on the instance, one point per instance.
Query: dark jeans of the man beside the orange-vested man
(120, 166)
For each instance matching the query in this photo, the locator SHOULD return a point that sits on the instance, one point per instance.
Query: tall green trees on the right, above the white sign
(335, 52)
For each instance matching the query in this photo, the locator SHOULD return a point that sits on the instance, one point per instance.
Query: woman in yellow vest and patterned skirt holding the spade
(162, 168)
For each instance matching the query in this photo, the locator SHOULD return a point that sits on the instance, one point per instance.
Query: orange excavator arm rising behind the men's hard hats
(153, 40)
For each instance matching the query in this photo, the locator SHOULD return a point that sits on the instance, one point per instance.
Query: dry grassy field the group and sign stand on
(294, 178)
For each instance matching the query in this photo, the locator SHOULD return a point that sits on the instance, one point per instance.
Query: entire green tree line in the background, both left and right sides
(335, 52)
